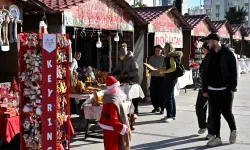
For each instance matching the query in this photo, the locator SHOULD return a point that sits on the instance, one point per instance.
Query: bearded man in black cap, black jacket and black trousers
(219, 84)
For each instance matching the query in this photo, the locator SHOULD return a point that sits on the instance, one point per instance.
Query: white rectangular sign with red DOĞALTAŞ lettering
(176, 39)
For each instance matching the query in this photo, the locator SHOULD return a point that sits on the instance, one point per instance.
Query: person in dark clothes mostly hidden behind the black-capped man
(201, 103)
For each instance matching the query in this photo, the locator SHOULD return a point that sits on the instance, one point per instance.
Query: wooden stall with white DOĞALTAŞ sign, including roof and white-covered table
(165, 24)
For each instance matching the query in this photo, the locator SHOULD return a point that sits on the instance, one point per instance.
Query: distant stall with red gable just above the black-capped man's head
(224, 31)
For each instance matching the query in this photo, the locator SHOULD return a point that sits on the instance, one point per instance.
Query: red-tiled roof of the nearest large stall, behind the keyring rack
(53, 6)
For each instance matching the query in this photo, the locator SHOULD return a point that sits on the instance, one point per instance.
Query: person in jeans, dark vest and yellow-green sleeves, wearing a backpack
(170, 80)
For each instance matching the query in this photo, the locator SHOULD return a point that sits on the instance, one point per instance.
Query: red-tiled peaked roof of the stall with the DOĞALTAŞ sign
(151, 13)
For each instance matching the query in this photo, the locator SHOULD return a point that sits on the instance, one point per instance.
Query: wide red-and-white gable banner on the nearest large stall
(98, 14)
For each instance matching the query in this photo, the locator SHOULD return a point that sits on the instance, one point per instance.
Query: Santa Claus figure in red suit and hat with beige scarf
(114, 121)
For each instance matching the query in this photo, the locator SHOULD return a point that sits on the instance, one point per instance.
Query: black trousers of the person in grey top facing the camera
(157, 92)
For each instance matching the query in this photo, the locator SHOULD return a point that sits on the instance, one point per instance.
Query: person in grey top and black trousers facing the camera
(157, 81)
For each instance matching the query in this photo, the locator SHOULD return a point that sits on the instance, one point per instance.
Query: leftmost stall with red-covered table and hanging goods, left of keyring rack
(11, 18)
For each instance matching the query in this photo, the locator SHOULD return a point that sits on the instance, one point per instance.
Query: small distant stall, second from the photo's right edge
(237, 38)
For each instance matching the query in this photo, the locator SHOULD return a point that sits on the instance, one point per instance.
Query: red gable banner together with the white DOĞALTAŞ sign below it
(166, 30)
